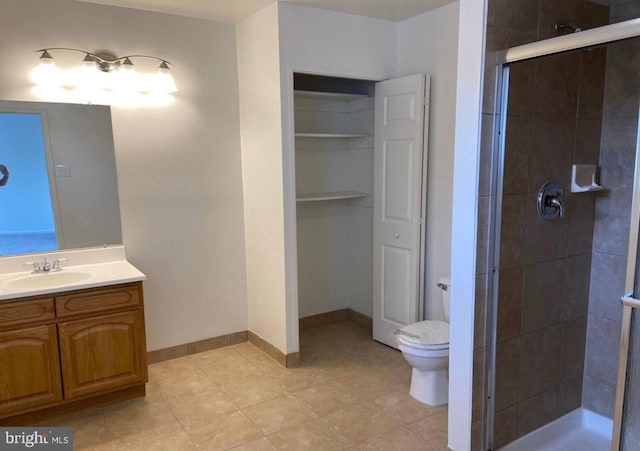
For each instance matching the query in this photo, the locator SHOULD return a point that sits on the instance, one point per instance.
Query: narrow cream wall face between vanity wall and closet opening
(260, 117)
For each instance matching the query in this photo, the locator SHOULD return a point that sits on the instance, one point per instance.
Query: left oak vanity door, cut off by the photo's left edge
(30, 370)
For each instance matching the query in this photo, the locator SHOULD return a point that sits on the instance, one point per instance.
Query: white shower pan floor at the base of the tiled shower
(579, 430)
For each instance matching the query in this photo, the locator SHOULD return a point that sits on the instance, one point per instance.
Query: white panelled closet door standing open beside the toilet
(398, 204)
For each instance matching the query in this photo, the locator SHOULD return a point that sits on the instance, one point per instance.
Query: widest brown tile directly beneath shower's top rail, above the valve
(557, 84)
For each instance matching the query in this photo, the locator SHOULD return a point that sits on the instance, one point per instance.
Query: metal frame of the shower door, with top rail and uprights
(597, 36)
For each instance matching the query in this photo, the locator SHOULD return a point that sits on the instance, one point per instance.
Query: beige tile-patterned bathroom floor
(349, 393)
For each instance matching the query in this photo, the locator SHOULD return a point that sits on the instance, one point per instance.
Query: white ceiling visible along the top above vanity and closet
(232, 11)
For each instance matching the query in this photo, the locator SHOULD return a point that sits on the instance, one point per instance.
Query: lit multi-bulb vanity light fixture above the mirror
(103, 78)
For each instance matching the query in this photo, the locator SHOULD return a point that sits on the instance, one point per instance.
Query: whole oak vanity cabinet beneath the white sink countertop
(77, 349)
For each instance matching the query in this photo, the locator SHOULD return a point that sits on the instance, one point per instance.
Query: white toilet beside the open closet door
(425, 345)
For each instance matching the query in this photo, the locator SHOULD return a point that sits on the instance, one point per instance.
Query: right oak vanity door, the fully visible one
(101, 354)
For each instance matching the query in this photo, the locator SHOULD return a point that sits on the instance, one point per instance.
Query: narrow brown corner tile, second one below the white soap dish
(577, 282)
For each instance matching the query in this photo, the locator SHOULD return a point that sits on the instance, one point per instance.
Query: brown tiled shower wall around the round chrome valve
(554, 117)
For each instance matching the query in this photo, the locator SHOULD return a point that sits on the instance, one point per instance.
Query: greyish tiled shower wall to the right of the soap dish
(613, 208)
